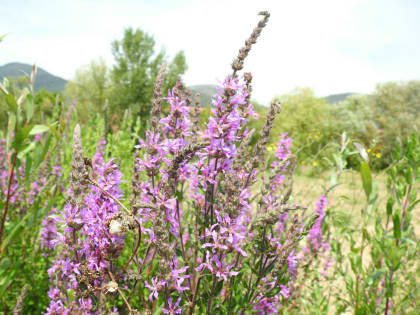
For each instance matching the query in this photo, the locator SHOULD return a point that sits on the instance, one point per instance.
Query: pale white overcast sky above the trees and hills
(331, 46)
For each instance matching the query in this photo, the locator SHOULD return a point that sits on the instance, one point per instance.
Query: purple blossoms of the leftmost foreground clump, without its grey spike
(83, 235)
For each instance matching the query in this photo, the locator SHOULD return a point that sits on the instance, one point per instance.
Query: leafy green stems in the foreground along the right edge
(380, 268)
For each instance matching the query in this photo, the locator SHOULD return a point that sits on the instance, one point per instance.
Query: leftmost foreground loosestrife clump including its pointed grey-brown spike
(85, 249)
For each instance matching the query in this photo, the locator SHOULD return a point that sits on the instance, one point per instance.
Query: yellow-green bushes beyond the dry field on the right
(377, 121)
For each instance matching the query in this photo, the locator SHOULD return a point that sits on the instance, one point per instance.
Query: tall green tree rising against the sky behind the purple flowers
(136, 68)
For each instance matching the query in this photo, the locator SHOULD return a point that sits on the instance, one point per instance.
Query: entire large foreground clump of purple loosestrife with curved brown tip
(214, 229)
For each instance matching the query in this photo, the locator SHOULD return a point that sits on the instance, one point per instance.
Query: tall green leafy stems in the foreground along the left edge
(27, 161)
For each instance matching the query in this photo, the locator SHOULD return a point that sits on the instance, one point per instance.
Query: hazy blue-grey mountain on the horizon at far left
(43, 78)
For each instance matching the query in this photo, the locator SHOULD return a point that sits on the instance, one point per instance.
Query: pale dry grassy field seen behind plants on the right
(345, 204)
